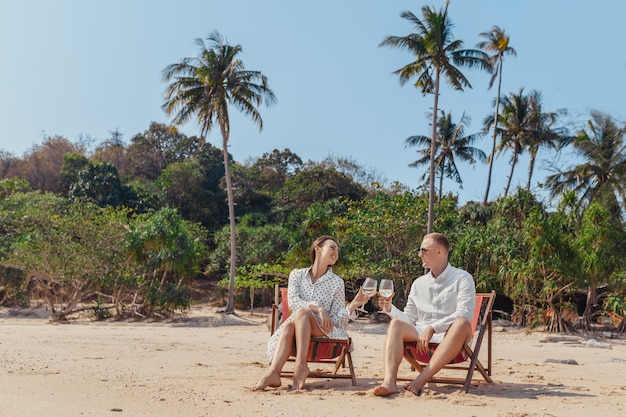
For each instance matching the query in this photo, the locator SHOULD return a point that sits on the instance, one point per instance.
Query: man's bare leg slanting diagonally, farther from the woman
(459, 332)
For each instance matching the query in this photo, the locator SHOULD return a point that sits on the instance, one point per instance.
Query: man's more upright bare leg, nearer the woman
(393, 351)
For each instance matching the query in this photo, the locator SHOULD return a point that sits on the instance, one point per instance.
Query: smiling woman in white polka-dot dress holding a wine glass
(317, 300)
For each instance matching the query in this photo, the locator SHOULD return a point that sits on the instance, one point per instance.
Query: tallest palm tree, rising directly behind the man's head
(436, 54)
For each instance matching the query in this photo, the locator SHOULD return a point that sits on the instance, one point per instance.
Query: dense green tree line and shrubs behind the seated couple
(127, 238)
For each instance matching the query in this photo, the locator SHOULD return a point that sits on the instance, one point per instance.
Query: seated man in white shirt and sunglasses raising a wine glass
(439, 309)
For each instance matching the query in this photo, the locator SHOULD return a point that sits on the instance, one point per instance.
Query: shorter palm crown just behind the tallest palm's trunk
(451, 145)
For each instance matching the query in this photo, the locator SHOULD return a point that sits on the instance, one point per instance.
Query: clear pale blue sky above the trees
(86, 67)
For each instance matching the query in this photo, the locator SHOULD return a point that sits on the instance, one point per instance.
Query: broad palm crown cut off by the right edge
(602, 176)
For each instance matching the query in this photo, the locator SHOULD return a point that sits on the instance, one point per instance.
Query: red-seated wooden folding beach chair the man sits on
(481, 325)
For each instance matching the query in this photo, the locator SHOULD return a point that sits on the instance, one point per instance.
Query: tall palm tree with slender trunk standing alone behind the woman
(204, 87)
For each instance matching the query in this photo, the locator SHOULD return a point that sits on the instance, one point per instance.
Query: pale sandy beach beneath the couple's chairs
(205, 363)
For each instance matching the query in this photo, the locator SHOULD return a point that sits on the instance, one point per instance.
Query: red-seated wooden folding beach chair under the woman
(322, 350)
